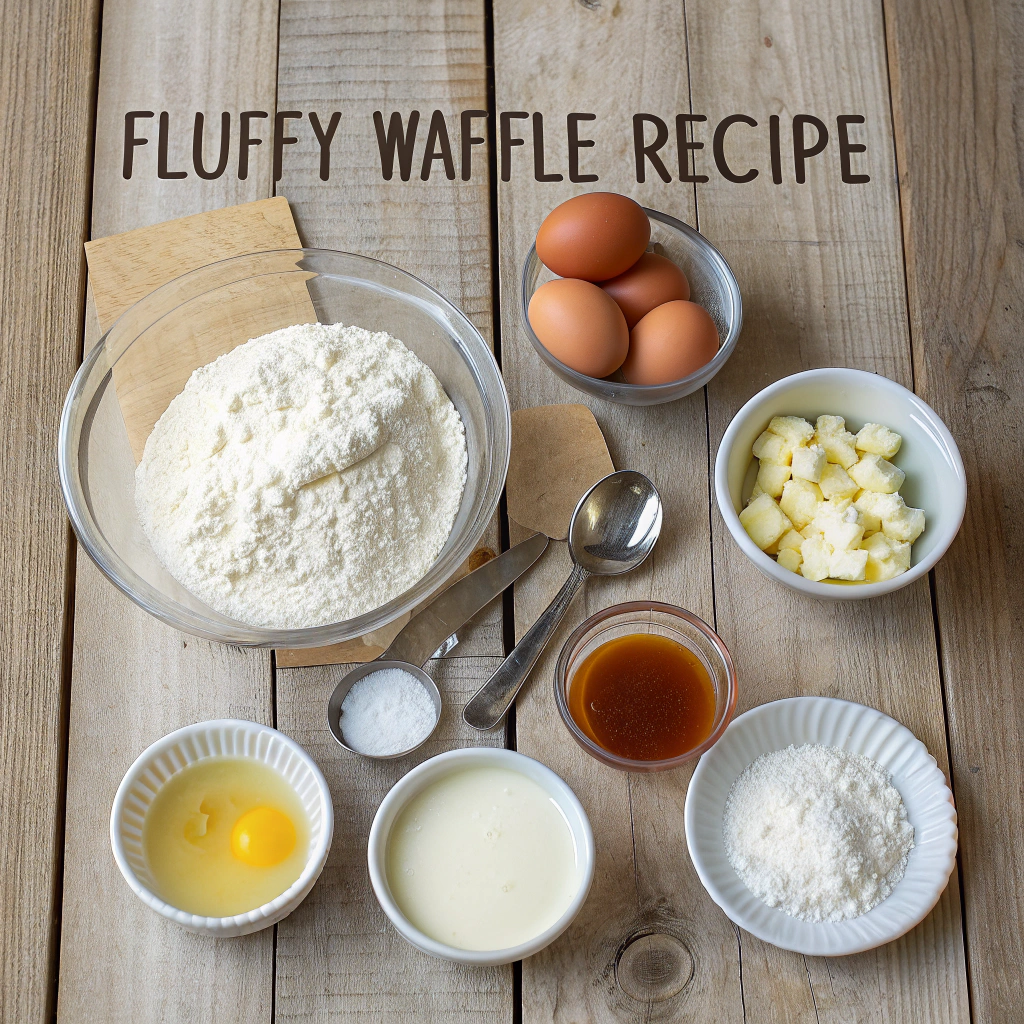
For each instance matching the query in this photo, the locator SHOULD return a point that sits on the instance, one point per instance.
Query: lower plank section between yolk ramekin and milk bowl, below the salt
(338, 956)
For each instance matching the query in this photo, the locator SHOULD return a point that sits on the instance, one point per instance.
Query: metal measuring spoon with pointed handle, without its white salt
(432, 629)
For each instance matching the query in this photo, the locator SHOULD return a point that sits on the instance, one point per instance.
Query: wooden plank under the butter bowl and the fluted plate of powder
(823, 278)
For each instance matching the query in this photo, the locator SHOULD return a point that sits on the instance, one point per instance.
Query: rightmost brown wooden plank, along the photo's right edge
(957, 77)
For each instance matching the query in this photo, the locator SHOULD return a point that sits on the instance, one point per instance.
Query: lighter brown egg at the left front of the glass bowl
(580, 326)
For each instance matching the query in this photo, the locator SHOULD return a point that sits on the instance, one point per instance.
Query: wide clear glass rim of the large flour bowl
(169, 611)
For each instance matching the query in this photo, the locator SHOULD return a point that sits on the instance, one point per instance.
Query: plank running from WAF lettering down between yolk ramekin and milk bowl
(337, 958)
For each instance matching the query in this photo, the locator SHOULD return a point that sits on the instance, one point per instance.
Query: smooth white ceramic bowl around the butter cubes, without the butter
(935, 478)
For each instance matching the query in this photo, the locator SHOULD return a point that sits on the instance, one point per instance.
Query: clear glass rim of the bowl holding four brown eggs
(583, 383)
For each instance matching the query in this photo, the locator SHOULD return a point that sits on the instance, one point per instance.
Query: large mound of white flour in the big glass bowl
(306, 478)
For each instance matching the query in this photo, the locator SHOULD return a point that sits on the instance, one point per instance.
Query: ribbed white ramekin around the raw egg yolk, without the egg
(224, 738)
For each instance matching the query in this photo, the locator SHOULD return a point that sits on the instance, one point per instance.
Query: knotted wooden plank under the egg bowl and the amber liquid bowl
(559, 60)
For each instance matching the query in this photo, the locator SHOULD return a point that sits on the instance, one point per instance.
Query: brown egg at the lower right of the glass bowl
(673, 342)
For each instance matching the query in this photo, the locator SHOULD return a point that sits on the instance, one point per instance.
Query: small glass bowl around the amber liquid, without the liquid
(614, 760)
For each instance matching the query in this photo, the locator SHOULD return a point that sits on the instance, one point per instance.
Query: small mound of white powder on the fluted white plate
(818, 832)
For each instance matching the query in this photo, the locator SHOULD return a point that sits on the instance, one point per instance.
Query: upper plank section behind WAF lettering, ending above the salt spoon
(399, 56)
